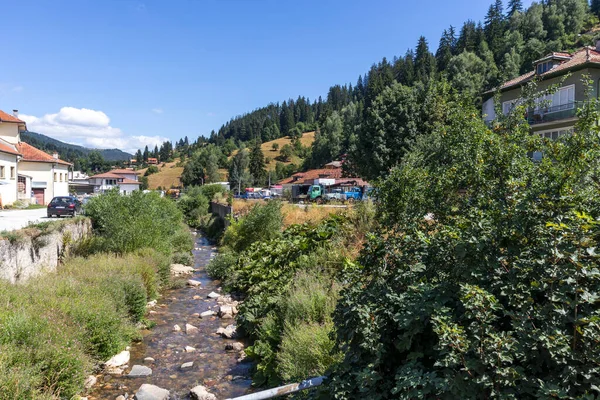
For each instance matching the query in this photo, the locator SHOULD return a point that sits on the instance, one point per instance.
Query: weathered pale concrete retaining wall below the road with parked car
(32, 252)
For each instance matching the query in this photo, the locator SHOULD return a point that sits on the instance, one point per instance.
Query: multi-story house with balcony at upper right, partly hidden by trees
(555, 114)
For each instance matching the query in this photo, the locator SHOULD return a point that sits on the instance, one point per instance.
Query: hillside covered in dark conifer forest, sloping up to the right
(374, 120)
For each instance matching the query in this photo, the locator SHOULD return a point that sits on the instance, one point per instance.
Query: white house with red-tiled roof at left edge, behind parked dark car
(27, 173)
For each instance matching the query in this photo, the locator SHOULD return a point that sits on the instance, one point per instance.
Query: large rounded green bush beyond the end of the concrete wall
(127, 223)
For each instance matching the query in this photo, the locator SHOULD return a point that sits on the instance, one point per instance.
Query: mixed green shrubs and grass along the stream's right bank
(288, 277)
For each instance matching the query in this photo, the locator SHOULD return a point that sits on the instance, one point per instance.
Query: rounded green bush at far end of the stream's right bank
(263, 222)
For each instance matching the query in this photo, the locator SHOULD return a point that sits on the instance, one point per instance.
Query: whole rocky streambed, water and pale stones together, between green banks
(183, 350)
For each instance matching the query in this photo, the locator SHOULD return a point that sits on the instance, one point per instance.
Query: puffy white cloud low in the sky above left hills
(90, 128)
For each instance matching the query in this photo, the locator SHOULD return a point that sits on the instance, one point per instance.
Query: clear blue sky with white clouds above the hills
(121, 73)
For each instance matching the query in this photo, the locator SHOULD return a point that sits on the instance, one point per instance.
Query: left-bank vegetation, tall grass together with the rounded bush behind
(55, 329)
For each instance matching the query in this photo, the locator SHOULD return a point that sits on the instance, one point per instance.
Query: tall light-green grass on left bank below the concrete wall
(55, 328)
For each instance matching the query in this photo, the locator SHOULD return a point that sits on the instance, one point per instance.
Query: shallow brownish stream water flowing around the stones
(214, 367)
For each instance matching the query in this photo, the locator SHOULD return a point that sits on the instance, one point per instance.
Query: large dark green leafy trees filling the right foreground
(494, 295)
